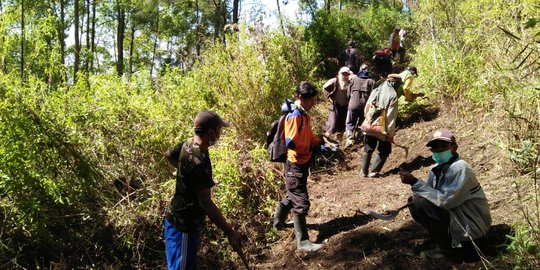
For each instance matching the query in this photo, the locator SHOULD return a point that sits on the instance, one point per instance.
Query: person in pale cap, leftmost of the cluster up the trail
(335, 89)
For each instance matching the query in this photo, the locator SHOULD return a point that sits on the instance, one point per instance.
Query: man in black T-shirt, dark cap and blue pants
(192, 200)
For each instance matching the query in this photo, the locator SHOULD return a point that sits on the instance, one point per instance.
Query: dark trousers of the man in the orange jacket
(296, 183)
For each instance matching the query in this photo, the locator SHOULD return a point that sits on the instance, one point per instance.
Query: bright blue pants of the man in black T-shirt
(180, 247)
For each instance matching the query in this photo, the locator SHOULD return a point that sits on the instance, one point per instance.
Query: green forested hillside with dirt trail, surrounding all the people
(92, 94)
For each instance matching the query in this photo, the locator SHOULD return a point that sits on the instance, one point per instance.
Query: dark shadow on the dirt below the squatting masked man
(400, 249)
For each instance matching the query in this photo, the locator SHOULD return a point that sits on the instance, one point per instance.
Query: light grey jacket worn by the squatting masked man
(458, 191)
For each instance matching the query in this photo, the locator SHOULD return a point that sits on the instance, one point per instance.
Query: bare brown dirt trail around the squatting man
(354, 240)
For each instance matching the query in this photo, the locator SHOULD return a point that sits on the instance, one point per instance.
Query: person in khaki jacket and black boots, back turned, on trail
(384, 100)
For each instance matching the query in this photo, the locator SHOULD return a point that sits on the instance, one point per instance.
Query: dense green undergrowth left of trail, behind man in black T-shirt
(83, 179)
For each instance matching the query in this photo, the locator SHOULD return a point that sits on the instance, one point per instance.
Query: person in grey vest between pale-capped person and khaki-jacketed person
(360, 87)
